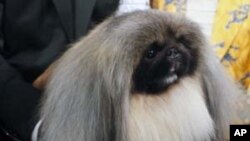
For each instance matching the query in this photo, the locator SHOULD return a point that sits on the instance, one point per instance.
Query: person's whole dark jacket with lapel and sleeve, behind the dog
(33, 34)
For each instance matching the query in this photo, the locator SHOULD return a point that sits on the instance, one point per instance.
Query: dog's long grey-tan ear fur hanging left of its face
(84, 99)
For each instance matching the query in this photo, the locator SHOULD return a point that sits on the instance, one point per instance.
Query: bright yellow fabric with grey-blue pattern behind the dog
(230, 35)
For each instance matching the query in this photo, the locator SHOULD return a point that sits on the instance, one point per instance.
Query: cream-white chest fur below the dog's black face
(180, 114)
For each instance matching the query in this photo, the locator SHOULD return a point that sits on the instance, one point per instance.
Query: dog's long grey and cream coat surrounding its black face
(89, 95)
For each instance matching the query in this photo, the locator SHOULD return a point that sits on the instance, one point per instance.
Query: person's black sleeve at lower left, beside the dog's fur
(18, 99)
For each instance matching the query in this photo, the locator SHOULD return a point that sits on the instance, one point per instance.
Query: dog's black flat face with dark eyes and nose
(163, 64)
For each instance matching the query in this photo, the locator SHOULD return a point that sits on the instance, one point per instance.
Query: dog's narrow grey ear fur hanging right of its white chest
(221, 93)
